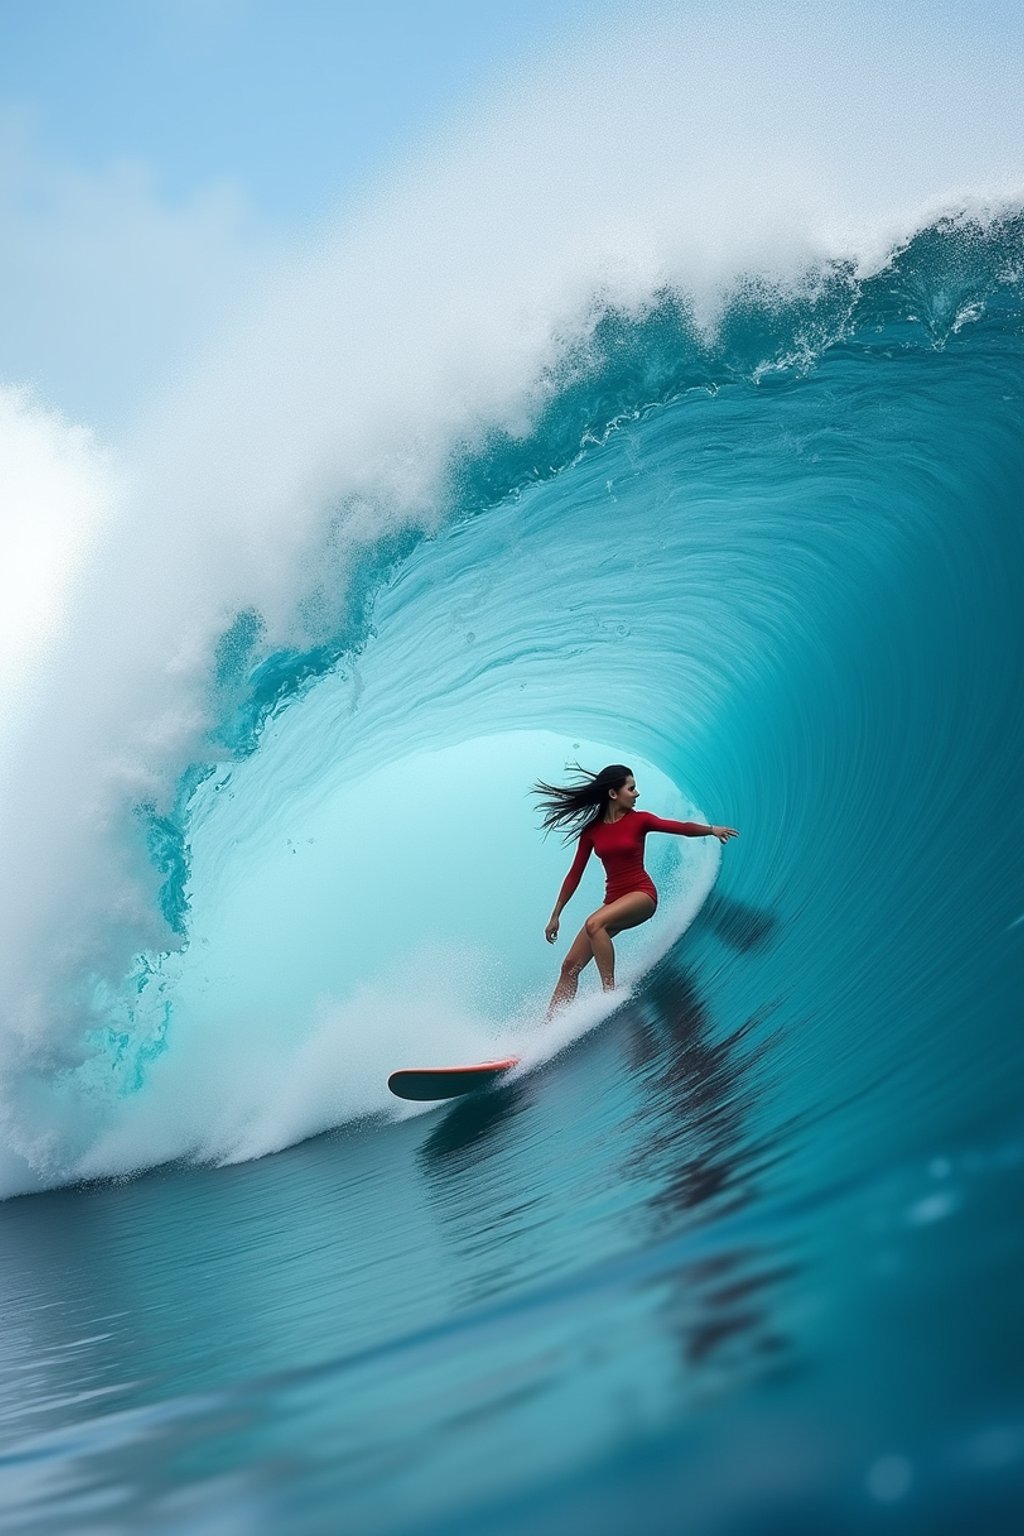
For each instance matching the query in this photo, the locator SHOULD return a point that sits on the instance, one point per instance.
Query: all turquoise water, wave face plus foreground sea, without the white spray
(739, 1254)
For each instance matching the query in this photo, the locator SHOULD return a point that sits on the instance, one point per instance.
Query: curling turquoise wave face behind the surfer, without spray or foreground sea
(776, 568)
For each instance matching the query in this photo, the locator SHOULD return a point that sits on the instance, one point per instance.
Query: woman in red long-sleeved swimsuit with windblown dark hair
(603, 809)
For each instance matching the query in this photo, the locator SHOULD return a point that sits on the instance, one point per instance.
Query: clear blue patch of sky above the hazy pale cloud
(291, 98)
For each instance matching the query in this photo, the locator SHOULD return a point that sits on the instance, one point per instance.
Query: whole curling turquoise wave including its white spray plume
(639, 489)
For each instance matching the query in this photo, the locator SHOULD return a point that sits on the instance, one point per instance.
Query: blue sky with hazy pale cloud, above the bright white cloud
(159, 156)
